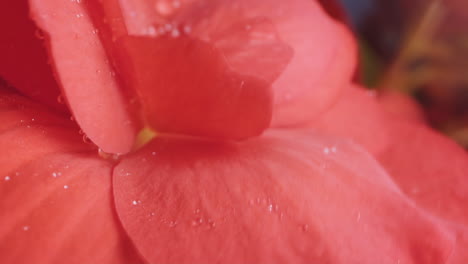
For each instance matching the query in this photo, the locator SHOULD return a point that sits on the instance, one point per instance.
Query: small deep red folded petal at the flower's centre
(187, 87)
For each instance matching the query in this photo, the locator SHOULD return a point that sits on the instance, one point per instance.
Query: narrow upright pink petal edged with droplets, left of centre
(85, 74)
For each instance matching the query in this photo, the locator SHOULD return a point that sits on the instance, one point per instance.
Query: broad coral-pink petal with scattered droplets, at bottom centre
(287, 197)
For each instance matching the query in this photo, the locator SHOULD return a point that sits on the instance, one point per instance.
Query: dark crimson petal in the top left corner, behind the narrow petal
(22, 50)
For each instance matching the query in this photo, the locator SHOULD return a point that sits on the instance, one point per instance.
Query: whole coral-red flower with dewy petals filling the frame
(210, 77)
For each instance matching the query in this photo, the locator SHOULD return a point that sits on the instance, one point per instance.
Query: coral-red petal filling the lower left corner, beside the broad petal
(55, 194)
